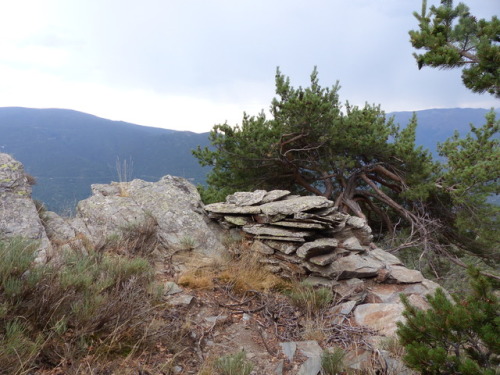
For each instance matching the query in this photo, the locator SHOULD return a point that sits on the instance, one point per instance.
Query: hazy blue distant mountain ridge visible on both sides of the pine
(67, 150)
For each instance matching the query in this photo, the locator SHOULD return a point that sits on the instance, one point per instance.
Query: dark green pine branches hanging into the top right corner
(453, 38)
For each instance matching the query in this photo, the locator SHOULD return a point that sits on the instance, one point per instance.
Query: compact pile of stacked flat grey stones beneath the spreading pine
(307, 231)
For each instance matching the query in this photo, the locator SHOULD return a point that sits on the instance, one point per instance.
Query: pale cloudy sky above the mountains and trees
(191, 64)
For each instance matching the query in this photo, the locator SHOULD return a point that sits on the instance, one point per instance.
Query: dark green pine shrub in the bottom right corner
(454, 338)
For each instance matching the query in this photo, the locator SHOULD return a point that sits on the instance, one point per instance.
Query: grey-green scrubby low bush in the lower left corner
(82, 304)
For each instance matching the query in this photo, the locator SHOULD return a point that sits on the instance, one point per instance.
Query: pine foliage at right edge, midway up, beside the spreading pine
(470, 177)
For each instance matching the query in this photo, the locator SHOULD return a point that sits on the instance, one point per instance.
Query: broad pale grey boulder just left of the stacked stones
(173, 203)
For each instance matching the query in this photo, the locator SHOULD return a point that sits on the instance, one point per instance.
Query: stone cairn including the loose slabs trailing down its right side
(306, 237)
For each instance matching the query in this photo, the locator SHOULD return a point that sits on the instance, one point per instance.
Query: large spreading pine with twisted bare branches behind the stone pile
(313, 145)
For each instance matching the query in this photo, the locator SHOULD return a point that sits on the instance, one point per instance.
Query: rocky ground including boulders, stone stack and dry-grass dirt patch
(211, 261)
